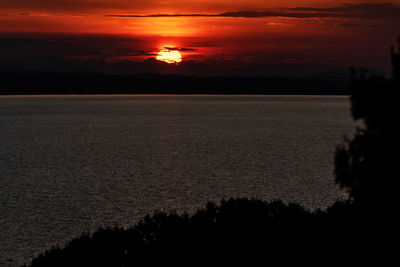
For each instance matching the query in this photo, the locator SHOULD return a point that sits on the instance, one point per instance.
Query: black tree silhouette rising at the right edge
(366, 165)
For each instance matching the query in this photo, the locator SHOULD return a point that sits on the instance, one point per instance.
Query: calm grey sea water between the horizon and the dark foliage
(72, 163)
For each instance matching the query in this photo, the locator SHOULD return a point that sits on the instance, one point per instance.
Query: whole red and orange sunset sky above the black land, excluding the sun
(238, 36)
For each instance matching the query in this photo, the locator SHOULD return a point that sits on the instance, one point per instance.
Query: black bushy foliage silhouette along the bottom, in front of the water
(237, 229)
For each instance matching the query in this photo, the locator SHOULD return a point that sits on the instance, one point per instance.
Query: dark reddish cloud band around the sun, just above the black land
(126, 55)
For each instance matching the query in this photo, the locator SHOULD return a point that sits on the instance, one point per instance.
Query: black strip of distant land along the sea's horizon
(15, 83)
